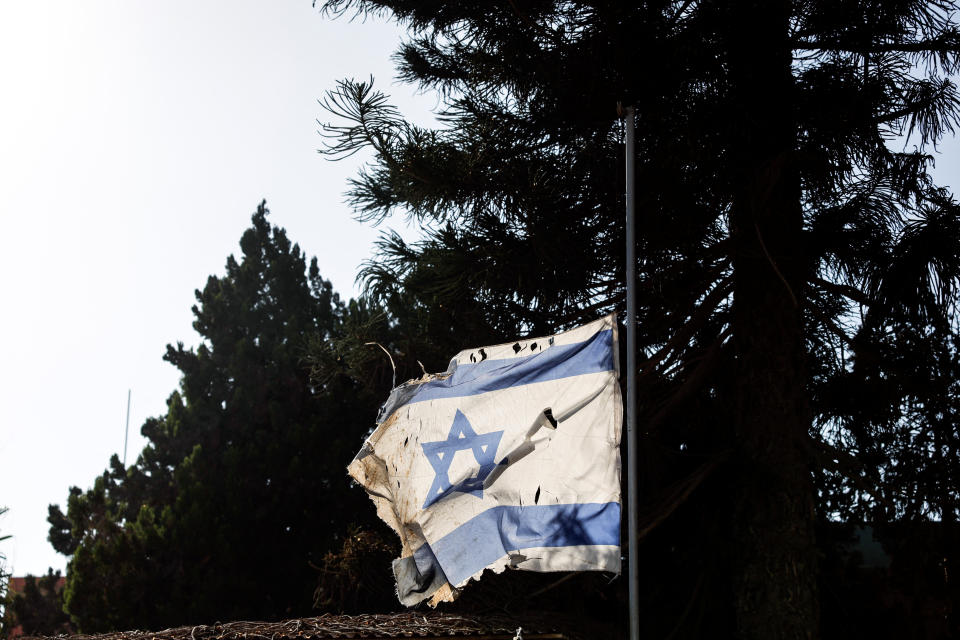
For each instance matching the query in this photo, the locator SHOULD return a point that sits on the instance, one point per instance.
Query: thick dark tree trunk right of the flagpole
(774, 578)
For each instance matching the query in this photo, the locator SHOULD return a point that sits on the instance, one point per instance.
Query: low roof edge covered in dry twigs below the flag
(431, 625)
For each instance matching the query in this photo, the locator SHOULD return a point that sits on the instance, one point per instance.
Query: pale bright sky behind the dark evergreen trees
(136, 139)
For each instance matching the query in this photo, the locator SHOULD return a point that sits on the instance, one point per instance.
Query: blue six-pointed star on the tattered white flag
(462, 437)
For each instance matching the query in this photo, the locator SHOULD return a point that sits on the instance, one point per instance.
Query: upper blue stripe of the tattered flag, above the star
(553, 363)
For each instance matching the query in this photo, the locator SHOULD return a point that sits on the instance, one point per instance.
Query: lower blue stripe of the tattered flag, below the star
(489, 536)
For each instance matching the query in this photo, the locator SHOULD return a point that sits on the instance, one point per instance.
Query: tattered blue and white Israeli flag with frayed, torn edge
(509, 459)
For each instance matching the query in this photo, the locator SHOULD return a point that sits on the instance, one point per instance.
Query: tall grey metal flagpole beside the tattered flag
(631, 328)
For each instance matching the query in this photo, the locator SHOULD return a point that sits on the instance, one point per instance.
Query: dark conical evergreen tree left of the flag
(241, 486)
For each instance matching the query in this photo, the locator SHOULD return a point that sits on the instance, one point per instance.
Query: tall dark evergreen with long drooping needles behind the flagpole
(798, 273)
